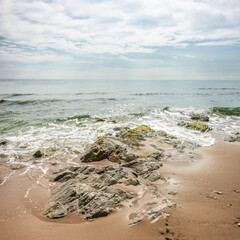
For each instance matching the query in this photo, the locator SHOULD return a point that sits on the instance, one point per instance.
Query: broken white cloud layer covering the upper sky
(38, 31)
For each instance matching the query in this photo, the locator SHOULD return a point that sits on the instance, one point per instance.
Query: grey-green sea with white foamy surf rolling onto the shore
(39, 114)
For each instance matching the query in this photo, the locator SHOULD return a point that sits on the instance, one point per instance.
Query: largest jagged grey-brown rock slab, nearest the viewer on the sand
(86, 190)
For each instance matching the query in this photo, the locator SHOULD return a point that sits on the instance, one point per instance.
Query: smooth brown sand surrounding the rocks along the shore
(203, 215)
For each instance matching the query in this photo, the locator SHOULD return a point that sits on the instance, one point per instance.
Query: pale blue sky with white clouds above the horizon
(120, 40)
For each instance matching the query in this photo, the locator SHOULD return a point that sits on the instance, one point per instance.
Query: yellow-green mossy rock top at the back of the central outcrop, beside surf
(137, 133)
